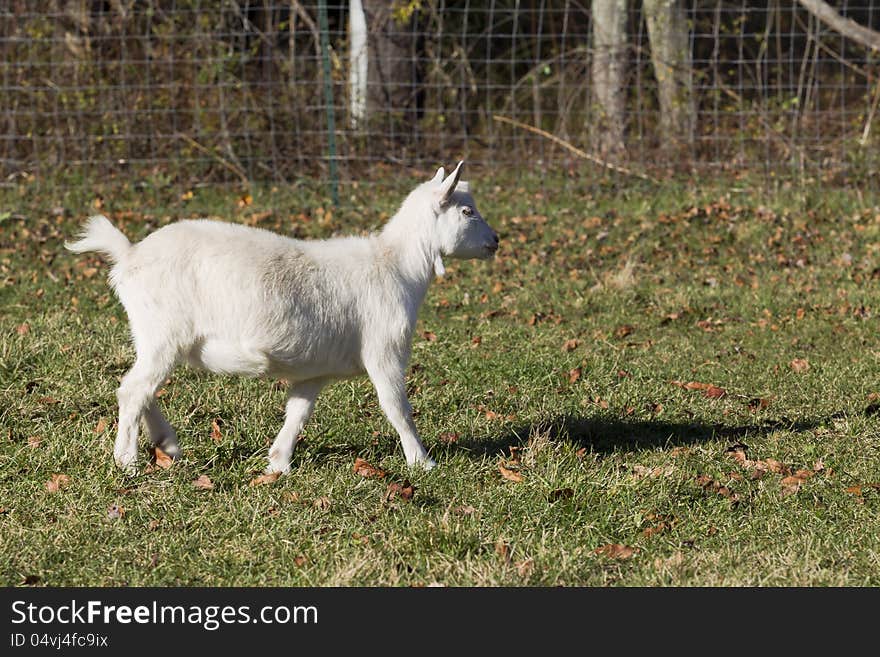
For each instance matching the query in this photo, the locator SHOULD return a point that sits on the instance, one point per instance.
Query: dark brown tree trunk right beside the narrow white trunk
(392, 77)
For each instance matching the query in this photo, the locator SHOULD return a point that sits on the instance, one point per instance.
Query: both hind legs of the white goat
(136, 395)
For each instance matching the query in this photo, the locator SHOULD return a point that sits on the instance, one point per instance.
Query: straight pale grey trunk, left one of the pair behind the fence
(609, 69)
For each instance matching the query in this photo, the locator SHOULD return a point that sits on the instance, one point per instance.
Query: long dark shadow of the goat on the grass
(605, 435)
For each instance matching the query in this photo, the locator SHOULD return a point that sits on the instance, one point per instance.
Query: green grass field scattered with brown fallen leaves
(652, 385)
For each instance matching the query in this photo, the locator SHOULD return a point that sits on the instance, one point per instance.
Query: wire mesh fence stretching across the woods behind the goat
(191, 91)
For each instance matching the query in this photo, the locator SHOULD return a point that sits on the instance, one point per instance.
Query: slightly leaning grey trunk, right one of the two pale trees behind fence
(673, 68)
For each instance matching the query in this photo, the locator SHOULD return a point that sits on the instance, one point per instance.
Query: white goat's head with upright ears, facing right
(461, 230)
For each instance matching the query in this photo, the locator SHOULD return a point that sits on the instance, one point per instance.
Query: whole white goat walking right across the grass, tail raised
(239, 300)
